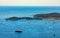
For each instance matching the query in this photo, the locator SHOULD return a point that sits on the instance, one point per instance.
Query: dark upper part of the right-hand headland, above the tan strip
(47, 15)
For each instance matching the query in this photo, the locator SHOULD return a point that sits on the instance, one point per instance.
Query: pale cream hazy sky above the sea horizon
(30, 2)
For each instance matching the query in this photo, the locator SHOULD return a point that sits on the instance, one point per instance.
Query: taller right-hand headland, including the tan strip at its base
(48, 16)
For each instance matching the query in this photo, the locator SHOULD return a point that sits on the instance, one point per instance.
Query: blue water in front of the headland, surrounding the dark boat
(30, 28)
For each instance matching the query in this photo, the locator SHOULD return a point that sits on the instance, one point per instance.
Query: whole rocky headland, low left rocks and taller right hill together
(49, 16)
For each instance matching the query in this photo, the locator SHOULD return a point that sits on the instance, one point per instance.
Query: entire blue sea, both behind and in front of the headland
(29, 28)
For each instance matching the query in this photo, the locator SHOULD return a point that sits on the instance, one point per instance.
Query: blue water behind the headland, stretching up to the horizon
(9, 11)
